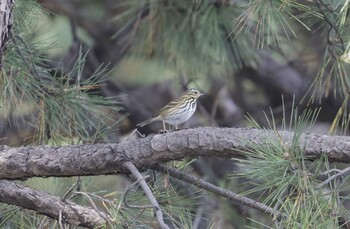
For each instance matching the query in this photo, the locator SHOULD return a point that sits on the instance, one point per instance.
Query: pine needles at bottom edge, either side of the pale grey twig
(177, 208)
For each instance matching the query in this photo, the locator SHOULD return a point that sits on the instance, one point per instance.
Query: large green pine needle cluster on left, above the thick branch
(64, 108)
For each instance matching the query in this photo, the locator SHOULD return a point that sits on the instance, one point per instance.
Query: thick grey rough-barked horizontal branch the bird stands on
(97, 159)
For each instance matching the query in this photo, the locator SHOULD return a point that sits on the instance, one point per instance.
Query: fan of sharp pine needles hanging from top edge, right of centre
(272, 22)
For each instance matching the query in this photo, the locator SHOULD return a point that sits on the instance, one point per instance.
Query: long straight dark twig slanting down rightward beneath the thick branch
(217, 190)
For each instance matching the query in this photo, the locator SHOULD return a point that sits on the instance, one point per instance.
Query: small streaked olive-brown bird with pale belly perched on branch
(176, 112)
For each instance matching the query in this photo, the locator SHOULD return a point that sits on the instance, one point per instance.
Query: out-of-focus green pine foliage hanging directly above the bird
(190, 37)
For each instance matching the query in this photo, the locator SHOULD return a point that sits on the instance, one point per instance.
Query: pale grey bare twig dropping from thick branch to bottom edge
(135, 172)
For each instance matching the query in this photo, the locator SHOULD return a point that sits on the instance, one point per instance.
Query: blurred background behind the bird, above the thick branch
(158, 49)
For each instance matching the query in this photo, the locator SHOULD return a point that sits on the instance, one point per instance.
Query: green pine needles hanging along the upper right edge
(333, 75)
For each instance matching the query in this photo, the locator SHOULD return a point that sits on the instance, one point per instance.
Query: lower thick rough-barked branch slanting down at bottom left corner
(52, 206)
